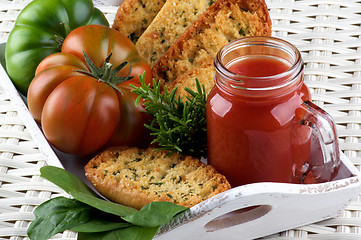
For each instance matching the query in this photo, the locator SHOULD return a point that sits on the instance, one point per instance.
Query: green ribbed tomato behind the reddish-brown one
(40, 30)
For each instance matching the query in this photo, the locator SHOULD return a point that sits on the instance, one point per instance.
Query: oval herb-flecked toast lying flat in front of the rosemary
(136, 177)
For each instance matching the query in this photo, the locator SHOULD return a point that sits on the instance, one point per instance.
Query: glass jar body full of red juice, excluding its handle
(256, 114)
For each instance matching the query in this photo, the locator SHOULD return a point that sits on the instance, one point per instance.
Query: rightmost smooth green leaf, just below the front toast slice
(155, 214)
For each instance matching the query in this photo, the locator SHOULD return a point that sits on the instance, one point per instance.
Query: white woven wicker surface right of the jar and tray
(328, 34)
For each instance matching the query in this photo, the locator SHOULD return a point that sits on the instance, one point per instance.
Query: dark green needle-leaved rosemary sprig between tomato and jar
(178, 125)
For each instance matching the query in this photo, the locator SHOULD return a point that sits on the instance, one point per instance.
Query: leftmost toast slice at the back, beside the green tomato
(134, 16)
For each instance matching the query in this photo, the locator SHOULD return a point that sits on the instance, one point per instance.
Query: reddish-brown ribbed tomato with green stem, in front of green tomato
(86, 103)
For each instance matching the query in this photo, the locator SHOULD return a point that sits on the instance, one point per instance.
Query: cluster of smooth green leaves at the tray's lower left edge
(92, 217)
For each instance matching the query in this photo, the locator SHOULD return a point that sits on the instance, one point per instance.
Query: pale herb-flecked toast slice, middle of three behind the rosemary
(171, 21)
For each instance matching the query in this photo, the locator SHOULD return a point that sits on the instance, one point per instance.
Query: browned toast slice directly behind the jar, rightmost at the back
(223, 22)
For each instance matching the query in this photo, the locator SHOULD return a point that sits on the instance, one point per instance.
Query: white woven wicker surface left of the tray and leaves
(21, 188)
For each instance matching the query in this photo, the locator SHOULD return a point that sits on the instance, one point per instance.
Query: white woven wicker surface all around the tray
(328, 34)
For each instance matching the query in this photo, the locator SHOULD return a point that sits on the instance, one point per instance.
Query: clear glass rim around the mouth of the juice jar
(235, 79)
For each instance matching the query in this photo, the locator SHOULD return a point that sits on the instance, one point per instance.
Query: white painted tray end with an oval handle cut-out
(279, 207)
